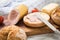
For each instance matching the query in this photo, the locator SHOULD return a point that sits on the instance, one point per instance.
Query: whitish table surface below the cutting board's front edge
(51, 36)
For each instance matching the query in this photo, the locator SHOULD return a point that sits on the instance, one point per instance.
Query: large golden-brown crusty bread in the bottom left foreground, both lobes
(12, 33)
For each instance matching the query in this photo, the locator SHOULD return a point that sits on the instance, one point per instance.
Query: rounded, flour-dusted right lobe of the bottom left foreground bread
(18, 34)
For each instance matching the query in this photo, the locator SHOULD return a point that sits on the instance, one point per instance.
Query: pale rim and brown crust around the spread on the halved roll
(34, 24)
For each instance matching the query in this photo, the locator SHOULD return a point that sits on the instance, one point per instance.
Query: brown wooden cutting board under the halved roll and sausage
(34, 31)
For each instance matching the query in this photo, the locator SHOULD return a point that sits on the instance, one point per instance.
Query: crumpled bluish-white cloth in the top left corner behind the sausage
(7, 5)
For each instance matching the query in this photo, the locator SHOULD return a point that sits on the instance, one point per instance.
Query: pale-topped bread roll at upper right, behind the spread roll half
(50, 8)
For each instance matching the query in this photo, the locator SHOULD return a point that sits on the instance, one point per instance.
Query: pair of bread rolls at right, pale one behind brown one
(53, 10)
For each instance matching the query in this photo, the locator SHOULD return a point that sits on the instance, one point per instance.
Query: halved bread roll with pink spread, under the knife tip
(32, 20)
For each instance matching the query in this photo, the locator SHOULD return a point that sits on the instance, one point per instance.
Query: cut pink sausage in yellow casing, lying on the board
(17, 14)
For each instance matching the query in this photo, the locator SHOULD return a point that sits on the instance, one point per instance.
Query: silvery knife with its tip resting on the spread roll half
(48, 23)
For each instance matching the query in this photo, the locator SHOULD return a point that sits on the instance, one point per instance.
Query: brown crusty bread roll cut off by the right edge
(56, 17)
